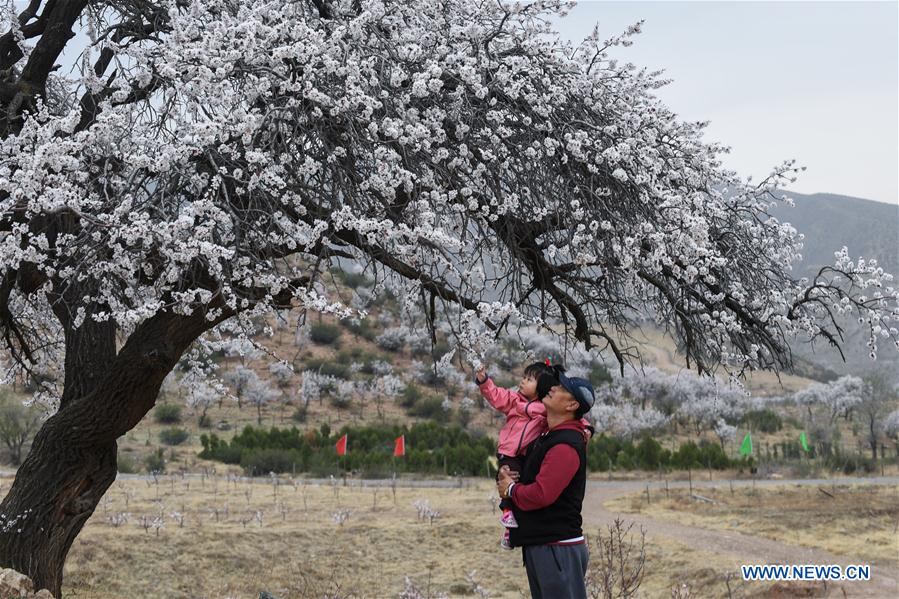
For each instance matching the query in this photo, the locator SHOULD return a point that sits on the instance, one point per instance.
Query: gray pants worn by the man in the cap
(556, 571)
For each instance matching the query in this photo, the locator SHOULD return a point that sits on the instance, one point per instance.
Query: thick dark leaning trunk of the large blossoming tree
(72, 461)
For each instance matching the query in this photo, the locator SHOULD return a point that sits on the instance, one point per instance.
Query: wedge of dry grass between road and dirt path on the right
(859, 521)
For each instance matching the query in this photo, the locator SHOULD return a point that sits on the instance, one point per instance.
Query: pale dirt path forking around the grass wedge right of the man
(742, 548)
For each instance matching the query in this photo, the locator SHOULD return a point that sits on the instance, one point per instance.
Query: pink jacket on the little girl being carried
(525, 419)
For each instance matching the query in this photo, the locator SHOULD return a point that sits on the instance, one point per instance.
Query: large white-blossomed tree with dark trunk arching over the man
(213, 157)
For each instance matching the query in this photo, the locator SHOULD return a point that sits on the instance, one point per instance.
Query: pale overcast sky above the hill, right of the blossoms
(814, 81)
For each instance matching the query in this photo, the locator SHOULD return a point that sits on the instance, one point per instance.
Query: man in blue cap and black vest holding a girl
(548, 494)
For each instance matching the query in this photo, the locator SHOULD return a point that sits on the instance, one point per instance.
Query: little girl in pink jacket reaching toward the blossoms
(525, 421)
